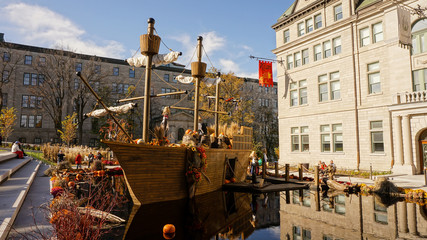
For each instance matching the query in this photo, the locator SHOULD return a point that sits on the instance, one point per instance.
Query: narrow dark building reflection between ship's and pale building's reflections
(267, 214)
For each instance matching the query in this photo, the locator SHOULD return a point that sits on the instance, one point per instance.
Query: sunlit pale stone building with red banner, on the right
(351, 89)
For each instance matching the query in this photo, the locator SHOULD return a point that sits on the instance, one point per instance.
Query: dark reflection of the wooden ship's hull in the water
(222, 214)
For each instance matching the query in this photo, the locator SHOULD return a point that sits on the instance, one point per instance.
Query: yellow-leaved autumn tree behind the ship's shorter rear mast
(233, 99)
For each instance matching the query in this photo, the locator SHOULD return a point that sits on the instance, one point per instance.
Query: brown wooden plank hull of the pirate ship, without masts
(157, 174)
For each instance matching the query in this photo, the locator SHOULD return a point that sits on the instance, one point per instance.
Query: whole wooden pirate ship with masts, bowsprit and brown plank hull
(162, 173)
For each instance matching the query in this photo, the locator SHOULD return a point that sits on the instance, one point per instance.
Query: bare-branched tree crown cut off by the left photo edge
(9, 61)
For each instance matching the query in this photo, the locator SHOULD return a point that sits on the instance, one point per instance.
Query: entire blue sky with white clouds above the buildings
(232, 30)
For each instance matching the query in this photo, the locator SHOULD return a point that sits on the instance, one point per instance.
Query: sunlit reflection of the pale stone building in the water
(303, 216)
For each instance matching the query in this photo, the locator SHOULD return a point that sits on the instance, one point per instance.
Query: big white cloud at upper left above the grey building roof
(39, 26)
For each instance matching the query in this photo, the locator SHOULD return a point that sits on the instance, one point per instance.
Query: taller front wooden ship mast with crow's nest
(149, 44)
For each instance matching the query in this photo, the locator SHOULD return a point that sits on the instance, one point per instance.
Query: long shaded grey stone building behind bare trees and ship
(113, 80)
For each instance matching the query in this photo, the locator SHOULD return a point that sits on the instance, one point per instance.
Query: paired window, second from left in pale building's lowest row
(331, 138)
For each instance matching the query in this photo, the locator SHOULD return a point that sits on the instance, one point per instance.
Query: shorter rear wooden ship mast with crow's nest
(198, 71)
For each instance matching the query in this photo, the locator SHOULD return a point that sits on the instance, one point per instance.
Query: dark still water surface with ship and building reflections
(300, 214)
